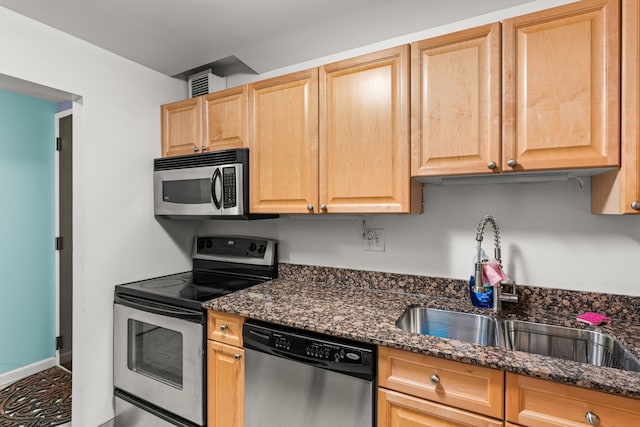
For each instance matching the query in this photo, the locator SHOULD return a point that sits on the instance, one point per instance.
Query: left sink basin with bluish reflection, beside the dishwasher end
(474, 328)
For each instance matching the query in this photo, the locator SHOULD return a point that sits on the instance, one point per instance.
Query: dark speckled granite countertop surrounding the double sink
(369, 314)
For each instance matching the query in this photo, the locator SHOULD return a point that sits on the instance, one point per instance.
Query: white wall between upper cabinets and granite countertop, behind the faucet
(549, 237)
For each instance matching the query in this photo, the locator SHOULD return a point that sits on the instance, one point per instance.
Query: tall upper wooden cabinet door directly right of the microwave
(283, 144)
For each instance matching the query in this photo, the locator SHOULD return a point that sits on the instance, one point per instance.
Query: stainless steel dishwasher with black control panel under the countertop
(296, 378)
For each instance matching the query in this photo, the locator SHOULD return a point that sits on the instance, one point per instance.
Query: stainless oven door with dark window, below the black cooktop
(159, 359)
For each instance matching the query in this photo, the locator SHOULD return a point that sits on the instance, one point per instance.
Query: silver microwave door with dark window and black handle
(186, 192)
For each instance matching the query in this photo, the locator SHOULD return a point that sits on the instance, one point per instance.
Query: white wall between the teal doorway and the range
(116, 136)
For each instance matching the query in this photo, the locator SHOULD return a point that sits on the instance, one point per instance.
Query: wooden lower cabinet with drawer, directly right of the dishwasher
(419, 390)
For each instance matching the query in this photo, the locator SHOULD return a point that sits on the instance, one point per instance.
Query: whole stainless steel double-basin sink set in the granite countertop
(574, 344)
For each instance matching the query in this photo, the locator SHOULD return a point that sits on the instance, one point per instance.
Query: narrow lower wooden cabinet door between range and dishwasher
(225, 385)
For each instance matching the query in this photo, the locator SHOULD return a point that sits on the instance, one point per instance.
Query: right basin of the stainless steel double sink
(578, 345)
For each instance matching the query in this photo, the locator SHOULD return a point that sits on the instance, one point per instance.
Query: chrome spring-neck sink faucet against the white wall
(498, 294)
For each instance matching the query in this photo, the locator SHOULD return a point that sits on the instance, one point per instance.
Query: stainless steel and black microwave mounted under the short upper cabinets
(203, 186)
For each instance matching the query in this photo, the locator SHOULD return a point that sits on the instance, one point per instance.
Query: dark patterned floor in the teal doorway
(39, 400)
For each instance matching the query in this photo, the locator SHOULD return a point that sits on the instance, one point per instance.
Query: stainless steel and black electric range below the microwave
(159, 330)
